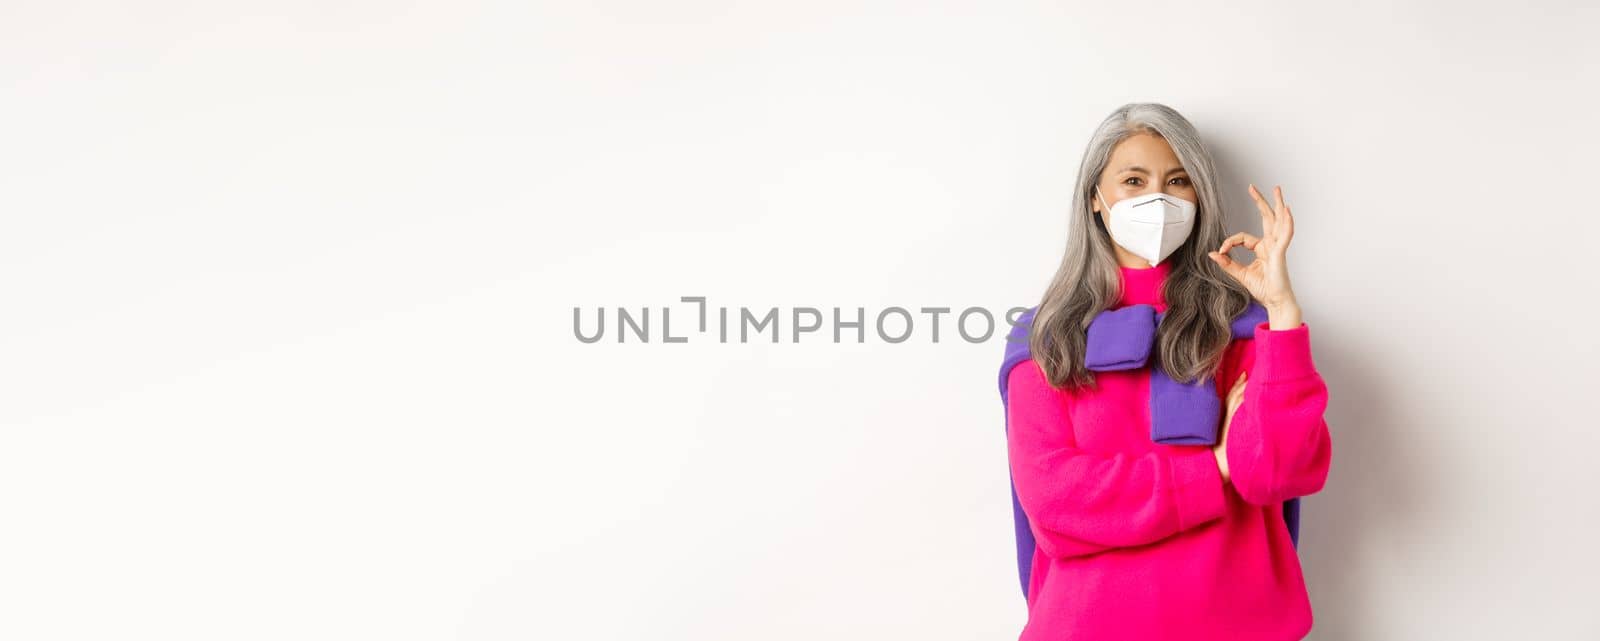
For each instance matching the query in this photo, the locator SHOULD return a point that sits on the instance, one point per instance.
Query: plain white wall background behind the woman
(289, 290)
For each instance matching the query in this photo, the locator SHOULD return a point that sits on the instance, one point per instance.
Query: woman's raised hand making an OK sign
(1266, 277)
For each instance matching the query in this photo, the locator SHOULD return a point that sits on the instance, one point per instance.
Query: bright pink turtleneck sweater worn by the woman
(1145, 541)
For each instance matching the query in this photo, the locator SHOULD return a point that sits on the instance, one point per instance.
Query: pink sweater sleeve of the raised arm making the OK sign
(1279, 445)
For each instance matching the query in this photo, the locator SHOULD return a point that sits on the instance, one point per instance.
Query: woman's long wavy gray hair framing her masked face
(1201, 298)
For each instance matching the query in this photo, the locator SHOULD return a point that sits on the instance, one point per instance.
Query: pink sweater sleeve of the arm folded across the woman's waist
(1081, 503)
